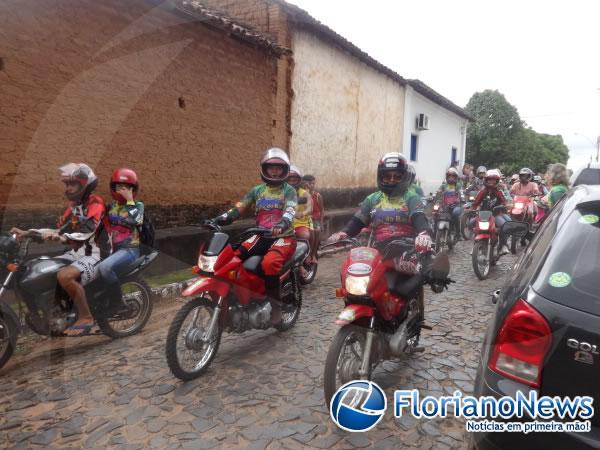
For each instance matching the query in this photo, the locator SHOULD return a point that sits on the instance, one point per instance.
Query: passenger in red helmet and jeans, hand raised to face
(123, 221)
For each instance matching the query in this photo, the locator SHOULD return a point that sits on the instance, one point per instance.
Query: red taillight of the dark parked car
(521, 345)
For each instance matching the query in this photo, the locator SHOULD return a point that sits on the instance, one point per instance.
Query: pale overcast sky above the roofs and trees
(543, 56)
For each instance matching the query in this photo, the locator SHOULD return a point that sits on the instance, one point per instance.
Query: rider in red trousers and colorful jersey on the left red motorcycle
(274, 203)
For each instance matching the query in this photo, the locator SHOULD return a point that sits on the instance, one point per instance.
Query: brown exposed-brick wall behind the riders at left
(117, 83)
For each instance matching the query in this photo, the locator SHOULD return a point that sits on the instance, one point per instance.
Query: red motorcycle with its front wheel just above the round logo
(384, 311)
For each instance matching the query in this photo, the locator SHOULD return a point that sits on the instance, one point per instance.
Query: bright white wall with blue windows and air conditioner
(434, 150)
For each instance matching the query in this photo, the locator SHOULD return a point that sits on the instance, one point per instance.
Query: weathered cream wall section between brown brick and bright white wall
(345, 114)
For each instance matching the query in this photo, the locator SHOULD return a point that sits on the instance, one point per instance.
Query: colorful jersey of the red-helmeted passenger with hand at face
(123, 221)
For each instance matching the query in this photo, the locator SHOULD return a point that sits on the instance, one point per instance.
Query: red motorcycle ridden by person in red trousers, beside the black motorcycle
(229, 295)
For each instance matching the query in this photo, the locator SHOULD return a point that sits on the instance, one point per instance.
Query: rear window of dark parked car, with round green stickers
(571, 273)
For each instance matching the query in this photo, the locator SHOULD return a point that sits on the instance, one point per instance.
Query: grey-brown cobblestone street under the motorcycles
(263, 390)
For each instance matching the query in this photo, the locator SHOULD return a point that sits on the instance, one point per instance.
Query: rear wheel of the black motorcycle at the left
(138, 300)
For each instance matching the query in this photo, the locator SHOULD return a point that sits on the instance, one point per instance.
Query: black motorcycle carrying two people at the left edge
(50, 310)
